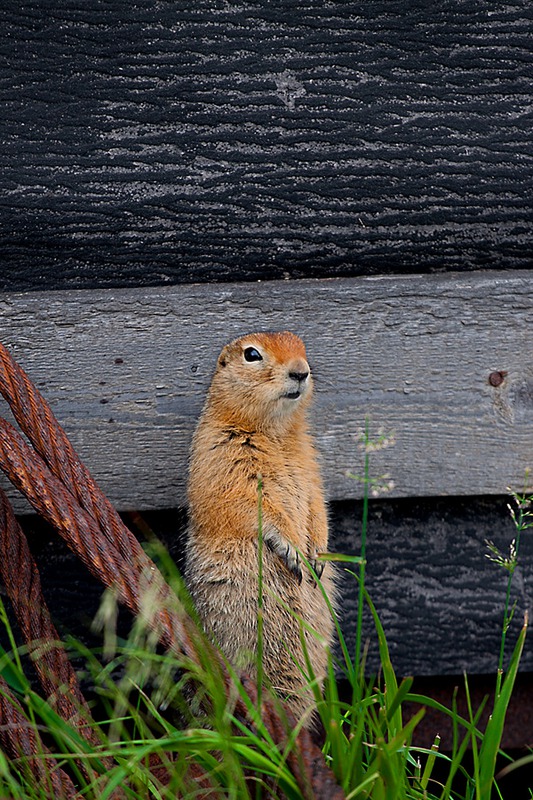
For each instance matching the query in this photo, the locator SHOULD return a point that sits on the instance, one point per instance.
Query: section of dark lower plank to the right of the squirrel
(439, 599)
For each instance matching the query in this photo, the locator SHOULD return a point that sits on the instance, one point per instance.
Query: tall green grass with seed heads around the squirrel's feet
(161, 738)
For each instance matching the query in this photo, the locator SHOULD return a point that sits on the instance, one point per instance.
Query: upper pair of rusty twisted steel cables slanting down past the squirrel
(91, 527)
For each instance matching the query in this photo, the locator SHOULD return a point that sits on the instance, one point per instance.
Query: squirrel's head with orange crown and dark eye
(262, 378)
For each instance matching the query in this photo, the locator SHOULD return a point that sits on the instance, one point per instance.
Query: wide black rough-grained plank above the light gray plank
(163, 142)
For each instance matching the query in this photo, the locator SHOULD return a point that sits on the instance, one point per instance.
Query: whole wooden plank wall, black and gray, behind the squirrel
(370, 164)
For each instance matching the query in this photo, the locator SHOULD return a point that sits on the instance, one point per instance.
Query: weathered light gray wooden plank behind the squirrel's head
(126, 371)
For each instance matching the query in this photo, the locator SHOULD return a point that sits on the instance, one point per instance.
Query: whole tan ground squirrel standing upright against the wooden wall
(254, 423)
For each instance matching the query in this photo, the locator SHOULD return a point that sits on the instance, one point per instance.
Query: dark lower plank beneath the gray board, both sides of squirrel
(439, 599)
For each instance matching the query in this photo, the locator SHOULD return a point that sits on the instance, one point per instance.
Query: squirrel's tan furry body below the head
(223, 567)
